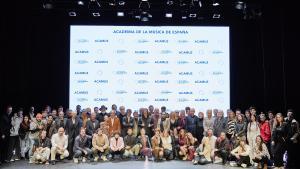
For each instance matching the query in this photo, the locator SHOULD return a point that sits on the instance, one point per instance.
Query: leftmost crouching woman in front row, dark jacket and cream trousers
(41, 149)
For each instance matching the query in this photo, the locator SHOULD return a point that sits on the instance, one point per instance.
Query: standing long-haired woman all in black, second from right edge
(279, 138)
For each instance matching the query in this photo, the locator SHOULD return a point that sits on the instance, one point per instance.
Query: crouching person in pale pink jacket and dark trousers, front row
(116, 145)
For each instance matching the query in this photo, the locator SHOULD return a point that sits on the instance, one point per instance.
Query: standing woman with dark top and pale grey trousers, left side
(24, 136)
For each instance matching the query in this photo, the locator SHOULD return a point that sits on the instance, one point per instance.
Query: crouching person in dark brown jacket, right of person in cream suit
(222, 149)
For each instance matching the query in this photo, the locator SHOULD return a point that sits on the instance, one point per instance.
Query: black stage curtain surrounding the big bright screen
(34, 57)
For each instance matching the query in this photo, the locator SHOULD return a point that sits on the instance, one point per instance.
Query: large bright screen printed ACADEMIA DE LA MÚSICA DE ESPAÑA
(137, 66)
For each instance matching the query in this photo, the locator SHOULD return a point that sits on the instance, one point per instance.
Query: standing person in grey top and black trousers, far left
(14, 142)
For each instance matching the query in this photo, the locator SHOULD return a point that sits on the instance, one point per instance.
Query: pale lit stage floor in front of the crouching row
(116, 165)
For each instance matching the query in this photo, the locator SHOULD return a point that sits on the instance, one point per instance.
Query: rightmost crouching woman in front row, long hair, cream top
(260, 153)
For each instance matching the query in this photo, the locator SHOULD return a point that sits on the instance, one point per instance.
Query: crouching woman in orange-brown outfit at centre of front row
(157, 149)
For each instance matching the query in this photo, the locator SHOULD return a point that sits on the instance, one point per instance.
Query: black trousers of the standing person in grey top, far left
(14, 144)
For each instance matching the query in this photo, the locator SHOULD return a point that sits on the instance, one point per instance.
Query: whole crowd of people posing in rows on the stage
(84, 135)
